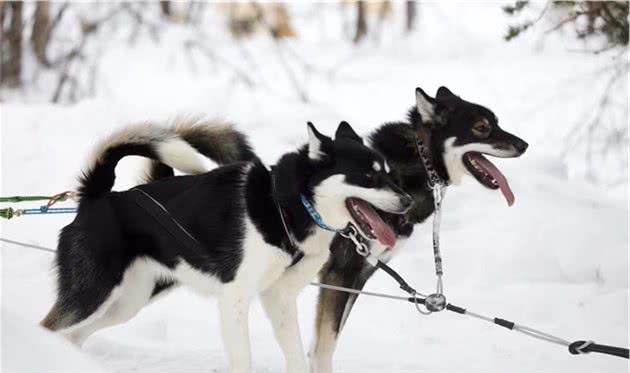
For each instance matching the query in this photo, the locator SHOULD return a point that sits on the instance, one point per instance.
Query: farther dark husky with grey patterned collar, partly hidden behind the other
(457, 133)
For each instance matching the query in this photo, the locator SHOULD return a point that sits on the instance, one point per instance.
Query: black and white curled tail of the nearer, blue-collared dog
(145, 140)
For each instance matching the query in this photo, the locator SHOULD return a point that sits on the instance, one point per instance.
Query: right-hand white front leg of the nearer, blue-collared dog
(281, 308)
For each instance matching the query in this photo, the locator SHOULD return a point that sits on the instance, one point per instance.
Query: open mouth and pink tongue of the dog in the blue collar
(370, 224)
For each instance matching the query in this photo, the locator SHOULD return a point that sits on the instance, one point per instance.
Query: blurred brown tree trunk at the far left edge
(11, 45)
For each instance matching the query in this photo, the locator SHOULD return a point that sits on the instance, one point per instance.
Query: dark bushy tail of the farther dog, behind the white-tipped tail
(216, 140)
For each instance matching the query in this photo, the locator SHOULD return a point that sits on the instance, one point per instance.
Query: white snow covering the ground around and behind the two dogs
(557, 260)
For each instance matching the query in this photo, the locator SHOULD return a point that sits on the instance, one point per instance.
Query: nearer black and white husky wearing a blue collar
(115, 257)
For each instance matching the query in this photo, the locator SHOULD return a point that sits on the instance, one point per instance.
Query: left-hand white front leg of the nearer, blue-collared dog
(234, 310)
